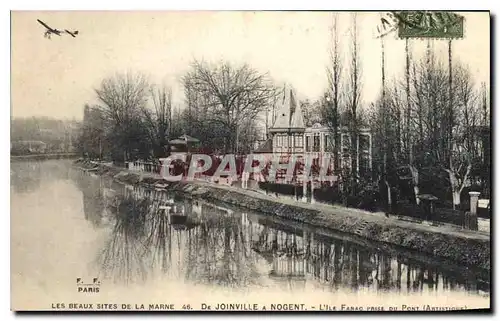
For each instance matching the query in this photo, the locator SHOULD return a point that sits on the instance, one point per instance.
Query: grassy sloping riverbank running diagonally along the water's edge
(470, 248)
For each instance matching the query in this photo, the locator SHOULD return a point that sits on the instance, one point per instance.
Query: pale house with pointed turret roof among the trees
(290, 136)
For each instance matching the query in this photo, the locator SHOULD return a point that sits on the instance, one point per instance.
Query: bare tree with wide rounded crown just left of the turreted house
(232, 95)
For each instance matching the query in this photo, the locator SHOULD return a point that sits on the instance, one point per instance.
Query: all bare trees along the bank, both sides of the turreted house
(430, 125)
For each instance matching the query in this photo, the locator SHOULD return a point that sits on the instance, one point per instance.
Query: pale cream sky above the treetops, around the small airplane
(57, 77)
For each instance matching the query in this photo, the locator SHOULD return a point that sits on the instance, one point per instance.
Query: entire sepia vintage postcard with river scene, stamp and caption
(250, 161)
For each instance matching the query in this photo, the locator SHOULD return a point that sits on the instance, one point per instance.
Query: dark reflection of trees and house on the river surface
(156, 234)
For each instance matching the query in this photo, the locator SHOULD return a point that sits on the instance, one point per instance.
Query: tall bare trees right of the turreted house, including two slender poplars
(430, 126)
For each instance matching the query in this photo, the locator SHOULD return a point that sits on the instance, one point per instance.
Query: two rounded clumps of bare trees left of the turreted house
(135, 118)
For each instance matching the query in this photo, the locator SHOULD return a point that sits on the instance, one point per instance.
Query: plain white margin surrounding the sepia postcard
(180, 5)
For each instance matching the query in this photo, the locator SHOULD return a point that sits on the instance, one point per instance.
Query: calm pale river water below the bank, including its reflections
(79, 238)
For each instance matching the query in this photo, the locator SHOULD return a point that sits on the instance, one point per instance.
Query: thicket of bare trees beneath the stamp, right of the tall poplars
(435, 125)
